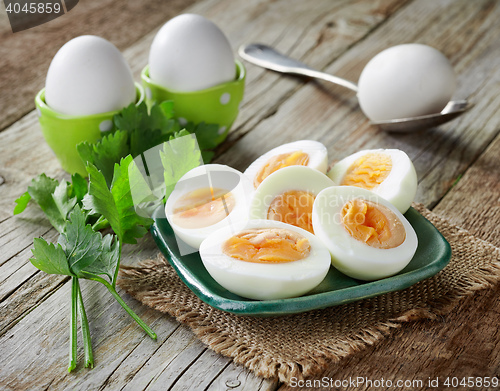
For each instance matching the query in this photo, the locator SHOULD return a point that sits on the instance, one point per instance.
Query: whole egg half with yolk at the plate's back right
(387, 172)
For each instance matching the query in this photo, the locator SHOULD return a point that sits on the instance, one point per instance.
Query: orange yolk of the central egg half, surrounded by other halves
(293, 207)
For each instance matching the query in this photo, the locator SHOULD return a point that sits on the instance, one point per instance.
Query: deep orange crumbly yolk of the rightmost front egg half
(373, 224)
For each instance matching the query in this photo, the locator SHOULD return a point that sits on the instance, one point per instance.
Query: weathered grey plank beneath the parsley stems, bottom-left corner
(44, 358)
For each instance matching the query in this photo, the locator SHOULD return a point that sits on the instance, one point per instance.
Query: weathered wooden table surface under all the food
(457, 166)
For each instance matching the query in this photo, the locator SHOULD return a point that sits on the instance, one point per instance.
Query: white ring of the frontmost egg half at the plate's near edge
(264, 281)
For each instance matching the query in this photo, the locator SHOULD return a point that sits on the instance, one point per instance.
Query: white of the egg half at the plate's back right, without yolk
(400, 186)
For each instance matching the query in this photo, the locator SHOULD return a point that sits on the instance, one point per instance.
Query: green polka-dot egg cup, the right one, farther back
(215, 105)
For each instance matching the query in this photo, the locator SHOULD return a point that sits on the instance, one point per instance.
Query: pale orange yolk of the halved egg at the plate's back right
(368, 171)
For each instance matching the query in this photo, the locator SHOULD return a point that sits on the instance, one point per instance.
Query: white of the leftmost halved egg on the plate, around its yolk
(217, 176)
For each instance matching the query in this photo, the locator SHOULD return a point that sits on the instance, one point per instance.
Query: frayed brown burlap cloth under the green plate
(304, 345)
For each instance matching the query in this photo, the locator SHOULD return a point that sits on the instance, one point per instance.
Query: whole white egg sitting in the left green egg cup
(89, 75)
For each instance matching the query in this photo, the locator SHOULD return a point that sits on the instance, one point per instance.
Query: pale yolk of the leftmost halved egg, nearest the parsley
(202, 207)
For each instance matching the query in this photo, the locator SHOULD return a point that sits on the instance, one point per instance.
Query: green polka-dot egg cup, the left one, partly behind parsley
(64, 132)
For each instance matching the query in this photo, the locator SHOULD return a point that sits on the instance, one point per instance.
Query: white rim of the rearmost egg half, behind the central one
(318, 156)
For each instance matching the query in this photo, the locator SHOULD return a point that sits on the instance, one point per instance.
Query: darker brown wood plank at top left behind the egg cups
(24, 70)
